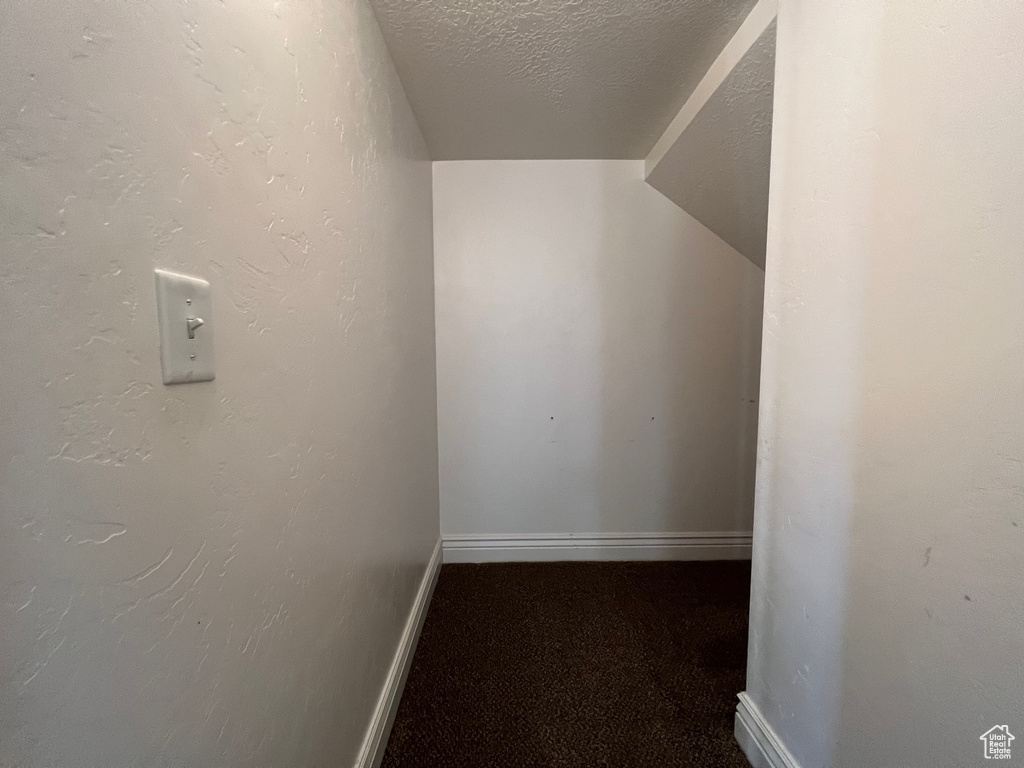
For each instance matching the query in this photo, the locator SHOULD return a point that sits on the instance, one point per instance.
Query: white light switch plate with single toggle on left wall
(185, 311)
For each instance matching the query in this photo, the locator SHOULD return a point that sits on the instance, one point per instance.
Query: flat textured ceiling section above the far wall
(505, 79)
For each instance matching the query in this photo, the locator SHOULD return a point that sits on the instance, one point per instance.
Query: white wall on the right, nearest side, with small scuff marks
(887, 613)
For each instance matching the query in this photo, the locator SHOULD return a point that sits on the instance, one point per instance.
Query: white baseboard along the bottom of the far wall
(558, 547)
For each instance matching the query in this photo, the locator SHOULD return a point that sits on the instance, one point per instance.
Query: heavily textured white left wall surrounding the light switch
(208, 575)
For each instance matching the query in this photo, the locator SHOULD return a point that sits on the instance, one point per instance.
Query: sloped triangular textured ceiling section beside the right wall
(719, 167)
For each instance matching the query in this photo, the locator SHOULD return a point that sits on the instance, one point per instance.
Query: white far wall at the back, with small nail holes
(598, 355)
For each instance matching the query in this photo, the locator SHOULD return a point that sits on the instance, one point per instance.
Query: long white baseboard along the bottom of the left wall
(372, 751)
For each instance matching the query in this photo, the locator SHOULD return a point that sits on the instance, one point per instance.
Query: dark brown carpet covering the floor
(577, 665)
